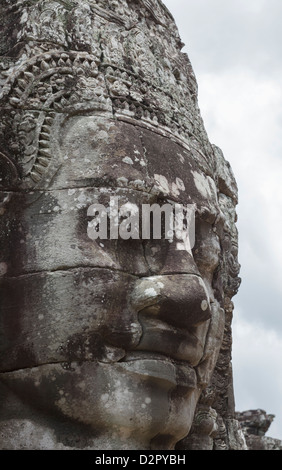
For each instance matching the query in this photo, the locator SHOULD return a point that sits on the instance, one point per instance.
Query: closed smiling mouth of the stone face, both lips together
(165, 354)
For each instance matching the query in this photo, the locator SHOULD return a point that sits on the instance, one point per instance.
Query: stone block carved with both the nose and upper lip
(172, 311)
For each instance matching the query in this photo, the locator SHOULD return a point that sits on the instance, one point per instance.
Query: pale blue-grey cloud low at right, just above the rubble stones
(257, 384)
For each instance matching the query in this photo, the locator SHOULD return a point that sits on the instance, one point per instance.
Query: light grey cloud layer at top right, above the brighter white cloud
(221, 34)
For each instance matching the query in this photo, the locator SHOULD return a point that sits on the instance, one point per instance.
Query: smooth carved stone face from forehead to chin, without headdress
(121, 334)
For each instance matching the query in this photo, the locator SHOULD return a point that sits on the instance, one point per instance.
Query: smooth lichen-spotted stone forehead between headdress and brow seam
(103, 152)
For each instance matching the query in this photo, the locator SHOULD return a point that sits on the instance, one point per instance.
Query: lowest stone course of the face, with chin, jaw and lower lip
(140, 404)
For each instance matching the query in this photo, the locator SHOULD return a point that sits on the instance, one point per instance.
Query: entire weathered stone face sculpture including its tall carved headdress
(110, 344)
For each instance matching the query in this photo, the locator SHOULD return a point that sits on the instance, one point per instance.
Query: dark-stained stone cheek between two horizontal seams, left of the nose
(45, 322)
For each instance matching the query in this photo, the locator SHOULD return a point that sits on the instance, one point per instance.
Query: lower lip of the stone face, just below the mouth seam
(160, 368)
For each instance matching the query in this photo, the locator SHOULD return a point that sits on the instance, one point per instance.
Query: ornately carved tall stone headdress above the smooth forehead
(101, 61)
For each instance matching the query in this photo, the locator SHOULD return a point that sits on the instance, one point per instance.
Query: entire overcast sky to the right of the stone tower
(235, 50)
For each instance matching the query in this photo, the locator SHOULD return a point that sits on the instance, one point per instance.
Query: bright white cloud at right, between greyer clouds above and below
(243, 113)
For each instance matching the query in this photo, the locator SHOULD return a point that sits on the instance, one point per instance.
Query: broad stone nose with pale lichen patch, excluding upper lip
(179, 300)
